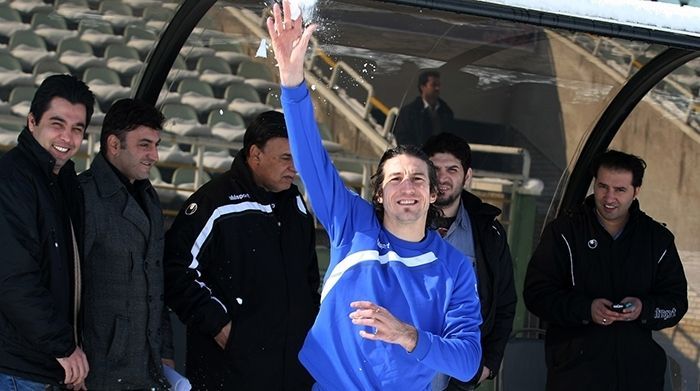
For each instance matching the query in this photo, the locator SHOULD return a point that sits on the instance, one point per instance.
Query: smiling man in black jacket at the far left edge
(40, 272)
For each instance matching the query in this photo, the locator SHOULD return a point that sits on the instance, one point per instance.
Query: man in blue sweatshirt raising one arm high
(398, 303)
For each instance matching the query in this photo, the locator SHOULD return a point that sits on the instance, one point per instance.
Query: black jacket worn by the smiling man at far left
(36, 276)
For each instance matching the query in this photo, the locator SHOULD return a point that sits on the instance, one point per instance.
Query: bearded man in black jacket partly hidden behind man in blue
(470, 225)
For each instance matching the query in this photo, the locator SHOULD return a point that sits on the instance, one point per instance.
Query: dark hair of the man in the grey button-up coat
(126, 115)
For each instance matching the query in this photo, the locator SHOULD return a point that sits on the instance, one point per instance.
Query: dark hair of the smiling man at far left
(63, 86)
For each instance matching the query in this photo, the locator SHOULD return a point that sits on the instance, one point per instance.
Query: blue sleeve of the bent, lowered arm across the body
(457, 352)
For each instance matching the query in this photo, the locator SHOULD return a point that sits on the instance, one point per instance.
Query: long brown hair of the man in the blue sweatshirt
(378, 178)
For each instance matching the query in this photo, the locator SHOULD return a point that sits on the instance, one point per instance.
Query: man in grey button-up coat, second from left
(126, 329)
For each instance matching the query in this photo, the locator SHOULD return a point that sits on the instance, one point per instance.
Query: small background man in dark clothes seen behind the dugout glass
(427, 115)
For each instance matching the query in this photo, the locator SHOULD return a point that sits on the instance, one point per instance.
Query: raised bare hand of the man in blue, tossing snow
(289, 42)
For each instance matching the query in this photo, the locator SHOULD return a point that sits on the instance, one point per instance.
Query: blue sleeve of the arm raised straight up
(330, 199)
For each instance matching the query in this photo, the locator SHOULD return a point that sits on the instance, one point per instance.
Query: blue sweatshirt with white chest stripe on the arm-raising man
(428, 284)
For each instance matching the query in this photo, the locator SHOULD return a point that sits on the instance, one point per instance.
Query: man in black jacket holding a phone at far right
(605, 253)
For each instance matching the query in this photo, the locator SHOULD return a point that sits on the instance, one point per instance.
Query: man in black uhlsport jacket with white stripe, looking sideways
(241, 270)
